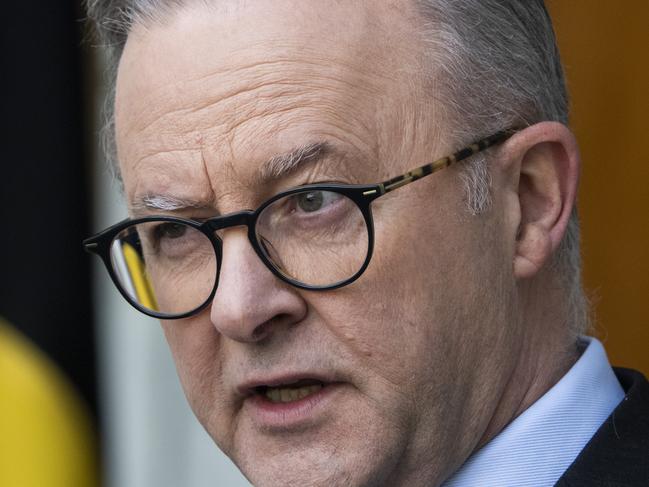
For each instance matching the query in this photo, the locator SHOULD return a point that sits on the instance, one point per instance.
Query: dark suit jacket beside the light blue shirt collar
(618, 454)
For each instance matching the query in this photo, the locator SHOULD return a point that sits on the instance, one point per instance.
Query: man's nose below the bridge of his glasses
(250, 302)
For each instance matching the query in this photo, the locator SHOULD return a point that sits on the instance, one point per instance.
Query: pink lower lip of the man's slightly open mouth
(290, 415)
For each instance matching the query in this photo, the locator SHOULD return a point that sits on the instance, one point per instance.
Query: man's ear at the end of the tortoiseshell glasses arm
(547, 160)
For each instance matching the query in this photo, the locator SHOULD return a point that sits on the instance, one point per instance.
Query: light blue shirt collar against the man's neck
(537, 447)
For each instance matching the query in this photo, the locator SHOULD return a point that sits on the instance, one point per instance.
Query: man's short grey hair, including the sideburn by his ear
(496, 66)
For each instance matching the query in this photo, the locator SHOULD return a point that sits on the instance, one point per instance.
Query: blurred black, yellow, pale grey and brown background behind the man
(88, 392)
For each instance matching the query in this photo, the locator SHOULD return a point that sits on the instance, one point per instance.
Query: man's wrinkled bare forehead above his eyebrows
(205, 95)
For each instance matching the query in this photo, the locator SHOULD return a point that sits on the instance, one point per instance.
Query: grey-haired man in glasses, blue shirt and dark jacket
(338, 314)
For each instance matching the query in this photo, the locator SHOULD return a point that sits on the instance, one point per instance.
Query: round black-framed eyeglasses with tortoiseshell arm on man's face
(314, 237)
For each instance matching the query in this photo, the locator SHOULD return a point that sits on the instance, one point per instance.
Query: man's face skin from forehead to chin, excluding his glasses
(411, 356)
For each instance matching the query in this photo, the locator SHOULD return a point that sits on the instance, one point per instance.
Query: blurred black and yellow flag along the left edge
(47, 357)
